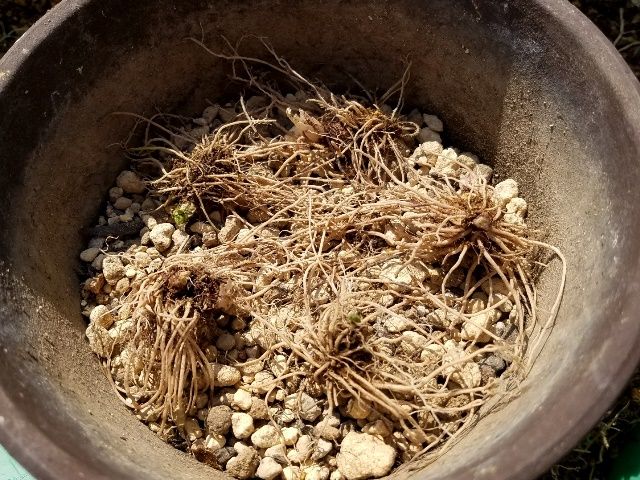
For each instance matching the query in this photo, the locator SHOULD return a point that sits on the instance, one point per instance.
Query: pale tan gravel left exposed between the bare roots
(253, 423)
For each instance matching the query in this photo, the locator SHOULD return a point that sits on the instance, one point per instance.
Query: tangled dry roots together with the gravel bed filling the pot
(325, 255)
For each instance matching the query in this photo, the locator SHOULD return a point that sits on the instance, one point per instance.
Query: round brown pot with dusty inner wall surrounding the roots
(508, 84)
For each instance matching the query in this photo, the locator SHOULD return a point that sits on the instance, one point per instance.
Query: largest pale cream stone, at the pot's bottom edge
(364, 456)
